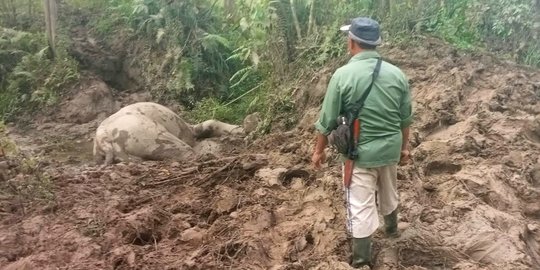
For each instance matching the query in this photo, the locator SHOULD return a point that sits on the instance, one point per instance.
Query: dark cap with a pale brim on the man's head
(364, 30)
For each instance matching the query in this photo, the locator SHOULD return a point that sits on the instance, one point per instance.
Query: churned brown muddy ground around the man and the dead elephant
(470, 200)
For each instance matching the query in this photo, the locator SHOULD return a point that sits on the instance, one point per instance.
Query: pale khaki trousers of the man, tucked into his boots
(362, 215)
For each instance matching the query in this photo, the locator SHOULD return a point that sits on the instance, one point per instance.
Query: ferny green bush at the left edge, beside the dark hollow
(29, 79)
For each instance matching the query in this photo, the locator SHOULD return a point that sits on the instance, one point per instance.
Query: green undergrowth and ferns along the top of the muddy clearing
(208, 56)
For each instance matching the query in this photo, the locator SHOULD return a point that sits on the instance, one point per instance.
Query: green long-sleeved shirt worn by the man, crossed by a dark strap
(387, 109)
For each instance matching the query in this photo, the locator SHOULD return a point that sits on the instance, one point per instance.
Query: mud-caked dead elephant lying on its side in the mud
(151, 131)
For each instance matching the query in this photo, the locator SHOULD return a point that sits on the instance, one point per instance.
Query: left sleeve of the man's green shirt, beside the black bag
(331, 107)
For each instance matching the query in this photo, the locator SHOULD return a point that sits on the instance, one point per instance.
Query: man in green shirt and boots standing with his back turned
(384, 130)
